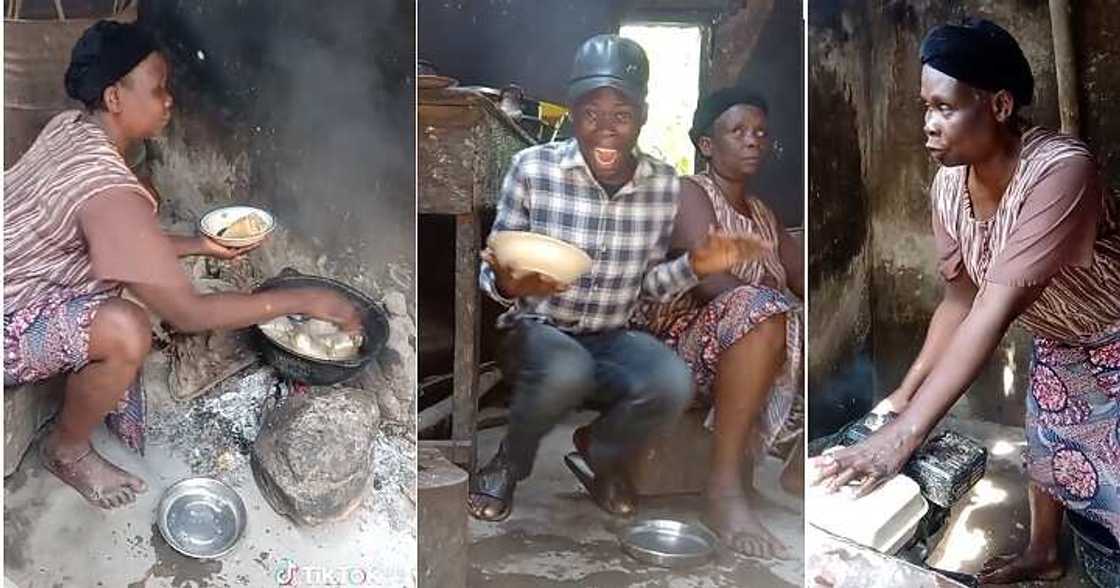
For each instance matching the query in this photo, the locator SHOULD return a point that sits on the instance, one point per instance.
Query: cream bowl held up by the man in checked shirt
(530, 253)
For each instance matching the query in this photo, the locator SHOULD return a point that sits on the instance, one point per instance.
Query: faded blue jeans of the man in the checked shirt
(641, 386)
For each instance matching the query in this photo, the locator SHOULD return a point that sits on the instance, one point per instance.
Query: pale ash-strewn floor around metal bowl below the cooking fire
(54, 539)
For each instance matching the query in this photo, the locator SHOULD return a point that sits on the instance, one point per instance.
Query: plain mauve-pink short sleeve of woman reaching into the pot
(126, 242)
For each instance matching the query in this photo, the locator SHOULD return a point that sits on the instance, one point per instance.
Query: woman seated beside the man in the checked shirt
(739, 332)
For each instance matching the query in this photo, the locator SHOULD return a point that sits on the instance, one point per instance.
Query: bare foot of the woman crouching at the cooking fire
(98, 481)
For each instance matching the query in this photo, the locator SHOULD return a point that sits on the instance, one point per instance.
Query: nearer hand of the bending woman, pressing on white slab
(870, 463)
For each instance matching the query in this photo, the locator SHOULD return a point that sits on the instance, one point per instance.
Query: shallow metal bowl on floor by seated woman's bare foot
(669, 544)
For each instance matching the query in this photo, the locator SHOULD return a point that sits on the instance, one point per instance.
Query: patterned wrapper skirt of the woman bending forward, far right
(1074, 426)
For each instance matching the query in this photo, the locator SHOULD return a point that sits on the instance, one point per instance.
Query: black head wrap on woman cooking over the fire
(106, 53)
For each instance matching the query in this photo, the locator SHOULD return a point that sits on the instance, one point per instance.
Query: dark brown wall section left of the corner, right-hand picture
(839, 226)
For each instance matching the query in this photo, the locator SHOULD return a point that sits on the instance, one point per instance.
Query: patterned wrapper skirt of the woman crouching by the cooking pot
(52, 338)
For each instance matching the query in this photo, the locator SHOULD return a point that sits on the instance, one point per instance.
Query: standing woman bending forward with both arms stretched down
(1026, 232)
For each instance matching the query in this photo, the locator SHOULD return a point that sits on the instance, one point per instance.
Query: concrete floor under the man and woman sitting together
(557, 537)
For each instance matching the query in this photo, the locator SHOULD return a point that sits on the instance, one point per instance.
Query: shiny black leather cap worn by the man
(610, 61)
